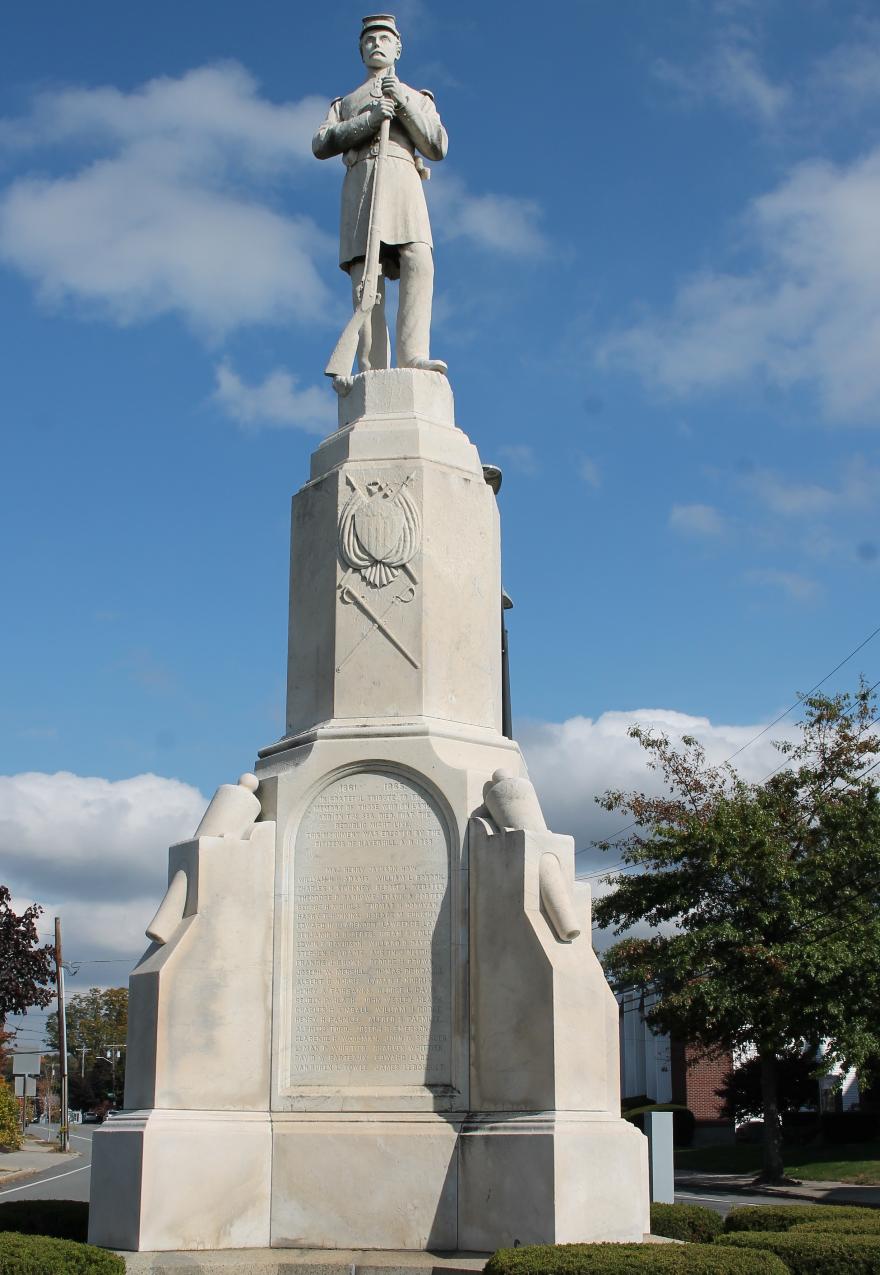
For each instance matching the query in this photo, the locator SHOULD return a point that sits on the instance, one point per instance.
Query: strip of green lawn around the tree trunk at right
(858, 1162)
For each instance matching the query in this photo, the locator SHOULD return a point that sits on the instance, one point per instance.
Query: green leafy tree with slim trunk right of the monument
(767, 894)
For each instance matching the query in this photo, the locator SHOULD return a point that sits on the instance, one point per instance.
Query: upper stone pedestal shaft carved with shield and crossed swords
(396, 590)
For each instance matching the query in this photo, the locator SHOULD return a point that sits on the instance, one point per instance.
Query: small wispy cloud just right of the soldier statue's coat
(503, 224)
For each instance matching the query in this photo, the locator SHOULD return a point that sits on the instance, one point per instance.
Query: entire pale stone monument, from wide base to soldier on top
(370, 1016)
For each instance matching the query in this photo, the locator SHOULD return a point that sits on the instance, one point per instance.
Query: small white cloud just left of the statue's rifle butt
(276, 402)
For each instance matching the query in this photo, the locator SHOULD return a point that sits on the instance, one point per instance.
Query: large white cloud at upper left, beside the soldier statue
(156, 221)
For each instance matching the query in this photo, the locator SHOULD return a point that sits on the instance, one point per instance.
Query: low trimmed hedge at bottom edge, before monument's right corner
(622, 1259)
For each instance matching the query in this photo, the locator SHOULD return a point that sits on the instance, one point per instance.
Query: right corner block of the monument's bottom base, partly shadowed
(559, 1179)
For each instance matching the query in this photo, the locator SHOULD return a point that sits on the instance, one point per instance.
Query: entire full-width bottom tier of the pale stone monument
(170, 1181)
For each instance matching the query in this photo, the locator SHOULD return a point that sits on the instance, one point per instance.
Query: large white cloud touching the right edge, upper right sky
(808, 313)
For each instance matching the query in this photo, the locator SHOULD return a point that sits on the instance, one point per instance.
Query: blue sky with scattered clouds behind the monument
(659, 293)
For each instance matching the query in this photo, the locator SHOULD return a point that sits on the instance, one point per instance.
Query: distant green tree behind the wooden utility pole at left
(98, 1026)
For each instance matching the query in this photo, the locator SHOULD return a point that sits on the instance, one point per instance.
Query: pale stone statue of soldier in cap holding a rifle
(351, 129)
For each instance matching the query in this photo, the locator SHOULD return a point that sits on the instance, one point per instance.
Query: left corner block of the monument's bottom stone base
(165, 1180)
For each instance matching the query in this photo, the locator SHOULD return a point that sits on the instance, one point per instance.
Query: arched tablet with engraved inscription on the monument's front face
(372, 952)
